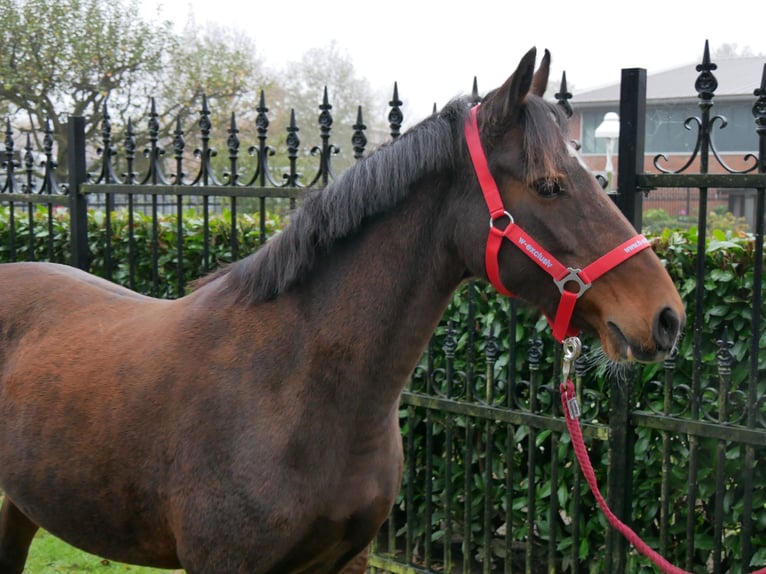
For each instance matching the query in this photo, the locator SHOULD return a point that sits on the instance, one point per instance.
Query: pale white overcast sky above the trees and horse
(433, 49)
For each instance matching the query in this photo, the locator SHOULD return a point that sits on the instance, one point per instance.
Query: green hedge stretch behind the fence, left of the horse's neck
(54, 245)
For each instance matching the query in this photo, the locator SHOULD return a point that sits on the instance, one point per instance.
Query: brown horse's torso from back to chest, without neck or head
(171, 483)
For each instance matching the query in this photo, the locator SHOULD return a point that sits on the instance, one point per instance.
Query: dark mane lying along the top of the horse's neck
(370, 187)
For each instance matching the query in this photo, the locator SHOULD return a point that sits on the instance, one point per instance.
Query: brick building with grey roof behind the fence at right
(671, 101)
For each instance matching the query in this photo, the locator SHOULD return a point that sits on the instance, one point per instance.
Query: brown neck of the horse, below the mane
(376, 298)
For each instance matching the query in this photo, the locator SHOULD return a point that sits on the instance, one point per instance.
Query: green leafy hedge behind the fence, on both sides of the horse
(729, 261)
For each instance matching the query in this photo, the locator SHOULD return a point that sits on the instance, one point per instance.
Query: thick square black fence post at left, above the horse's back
(78, 213)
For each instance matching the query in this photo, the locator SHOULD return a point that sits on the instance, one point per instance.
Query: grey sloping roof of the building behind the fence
(737, 78)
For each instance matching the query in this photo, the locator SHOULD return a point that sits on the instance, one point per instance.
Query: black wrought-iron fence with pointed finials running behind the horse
(490, 479)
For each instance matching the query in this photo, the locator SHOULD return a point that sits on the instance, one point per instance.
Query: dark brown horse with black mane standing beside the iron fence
(251, 426)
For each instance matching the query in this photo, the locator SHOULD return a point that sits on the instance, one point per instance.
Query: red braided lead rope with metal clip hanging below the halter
(572, 413)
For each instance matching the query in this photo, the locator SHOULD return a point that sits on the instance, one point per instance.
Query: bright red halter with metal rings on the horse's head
(561, 274)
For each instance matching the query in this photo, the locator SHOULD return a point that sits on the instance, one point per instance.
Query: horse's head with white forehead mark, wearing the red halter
(556, 239)
